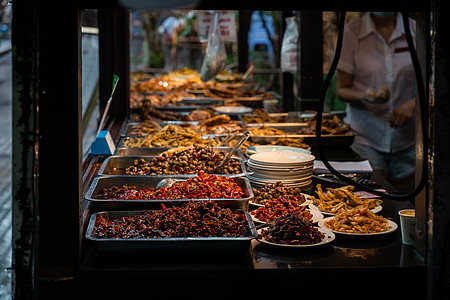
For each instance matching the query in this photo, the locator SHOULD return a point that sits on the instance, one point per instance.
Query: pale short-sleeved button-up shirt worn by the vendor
(373, 63)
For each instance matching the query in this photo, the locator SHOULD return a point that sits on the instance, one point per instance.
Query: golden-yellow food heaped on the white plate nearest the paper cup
(358, 220)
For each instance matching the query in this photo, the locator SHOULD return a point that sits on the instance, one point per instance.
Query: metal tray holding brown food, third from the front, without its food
(116, 165)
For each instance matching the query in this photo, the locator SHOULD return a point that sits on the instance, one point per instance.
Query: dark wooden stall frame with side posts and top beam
(47, 142)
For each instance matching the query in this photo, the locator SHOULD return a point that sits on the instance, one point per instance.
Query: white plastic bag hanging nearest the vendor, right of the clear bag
(289, 53)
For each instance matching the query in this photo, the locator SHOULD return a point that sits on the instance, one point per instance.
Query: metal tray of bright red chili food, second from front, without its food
(147, 182)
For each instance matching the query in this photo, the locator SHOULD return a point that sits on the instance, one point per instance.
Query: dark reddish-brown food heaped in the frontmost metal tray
(193, 219)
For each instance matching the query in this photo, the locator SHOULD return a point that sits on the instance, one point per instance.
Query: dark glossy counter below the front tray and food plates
(382, 262)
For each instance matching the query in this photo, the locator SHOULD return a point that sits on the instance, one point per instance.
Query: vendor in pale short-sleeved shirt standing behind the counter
(376, 78)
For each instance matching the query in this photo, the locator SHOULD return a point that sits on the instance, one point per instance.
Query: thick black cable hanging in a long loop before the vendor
(421, 100)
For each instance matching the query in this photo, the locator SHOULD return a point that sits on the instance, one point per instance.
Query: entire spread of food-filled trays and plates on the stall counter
(187, 144)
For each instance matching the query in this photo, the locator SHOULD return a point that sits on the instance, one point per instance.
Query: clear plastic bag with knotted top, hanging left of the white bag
(215, 57)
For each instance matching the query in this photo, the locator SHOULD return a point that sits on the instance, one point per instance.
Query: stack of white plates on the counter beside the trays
(291, 168)
